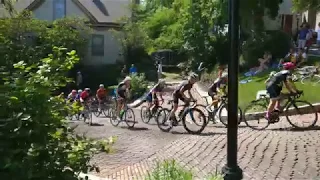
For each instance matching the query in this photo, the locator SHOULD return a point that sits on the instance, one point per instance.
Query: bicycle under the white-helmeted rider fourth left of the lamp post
(125, 114)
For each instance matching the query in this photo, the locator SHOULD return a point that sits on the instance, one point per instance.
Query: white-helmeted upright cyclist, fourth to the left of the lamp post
(122, 93)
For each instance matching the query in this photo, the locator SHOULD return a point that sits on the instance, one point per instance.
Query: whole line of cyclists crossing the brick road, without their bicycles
(216, 90)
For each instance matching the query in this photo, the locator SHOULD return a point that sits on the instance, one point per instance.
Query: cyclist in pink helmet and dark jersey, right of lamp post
(275, 84)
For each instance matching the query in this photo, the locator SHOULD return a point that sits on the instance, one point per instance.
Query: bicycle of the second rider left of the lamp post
(189, 110)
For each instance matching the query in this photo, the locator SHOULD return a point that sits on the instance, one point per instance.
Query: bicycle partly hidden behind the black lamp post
(221, 111)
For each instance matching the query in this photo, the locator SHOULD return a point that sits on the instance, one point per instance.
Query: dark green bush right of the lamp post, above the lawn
(277, 42)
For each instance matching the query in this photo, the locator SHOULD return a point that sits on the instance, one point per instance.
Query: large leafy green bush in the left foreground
(36, 141)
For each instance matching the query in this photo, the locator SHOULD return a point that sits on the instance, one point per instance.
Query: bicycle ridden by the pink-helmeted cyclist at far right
(290, 106)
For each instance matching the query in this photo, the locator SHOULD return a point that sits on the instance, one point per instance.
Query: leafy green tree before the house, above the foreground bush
(28, 39)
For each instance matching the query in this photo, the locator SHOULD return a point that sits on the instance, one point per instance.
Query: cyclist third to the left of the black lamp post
(152, 97)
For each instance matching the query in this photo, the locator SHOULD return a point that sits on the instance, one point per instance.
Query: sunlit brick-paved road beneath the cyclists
(275, 153)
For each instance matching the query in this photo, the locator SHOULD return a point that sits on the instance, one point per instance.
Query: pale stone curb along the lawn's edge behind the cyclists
(304, 109)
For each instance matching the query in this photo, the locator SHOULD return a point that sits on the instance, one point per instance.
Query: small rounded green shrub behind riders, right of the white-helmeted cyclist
(139, 85)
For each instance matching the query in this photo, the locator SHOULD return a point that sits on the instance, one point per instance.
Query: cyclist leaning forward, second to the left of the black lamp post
(178, 93)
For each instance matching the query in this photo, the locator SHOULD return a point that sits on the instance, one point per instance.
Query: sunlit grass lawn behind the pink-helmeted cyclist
(248, 91)
